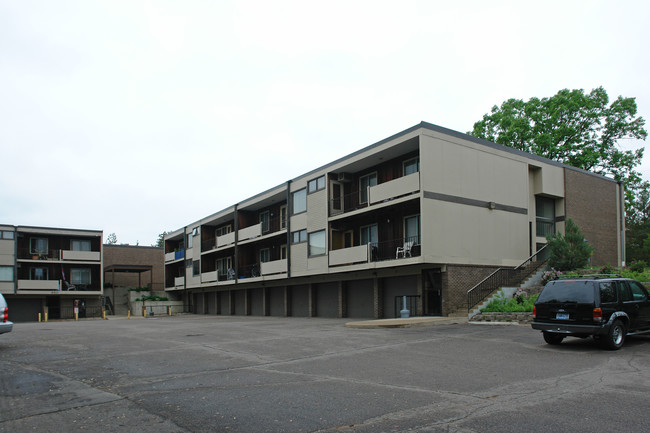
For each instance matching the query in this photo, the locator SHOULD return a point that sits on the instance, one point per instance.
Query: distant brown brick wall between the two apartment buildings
(135, 255)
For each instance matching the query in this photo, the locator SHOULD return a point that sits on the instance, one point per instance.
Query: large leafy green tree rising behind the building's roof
(573, 127)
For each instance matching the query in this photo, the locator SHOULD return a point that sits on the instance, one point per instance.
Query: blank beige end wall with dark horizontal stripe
(454, 231)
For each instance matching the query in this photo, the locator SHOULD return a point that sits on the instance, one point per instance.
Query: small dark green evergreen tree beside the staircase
(569, 251)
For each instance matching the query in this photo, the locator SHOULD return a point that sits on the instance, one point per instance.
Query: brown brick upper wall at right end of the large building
(592, 204)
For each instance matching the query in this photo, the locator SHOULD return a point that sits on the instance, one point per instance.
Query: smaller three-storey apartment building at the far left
(51, 270)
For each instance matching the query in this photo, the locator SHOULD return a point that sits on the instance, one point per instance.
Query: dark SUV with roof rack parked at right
(606, 307)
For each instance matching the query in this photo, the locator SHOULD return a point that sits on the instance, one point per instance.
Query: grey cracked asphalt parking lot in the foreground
(268, 374)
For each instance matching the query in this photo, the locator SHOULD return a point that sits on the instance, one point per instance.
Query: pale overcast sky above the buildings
(136, 117)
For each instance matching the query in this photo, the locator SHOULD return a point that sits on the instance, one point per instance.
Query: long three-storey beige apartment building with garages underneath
(425, 214)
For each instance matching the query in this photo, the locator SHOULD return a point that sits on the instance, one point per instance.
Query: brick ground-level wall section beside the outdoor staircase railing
(457, 281)
